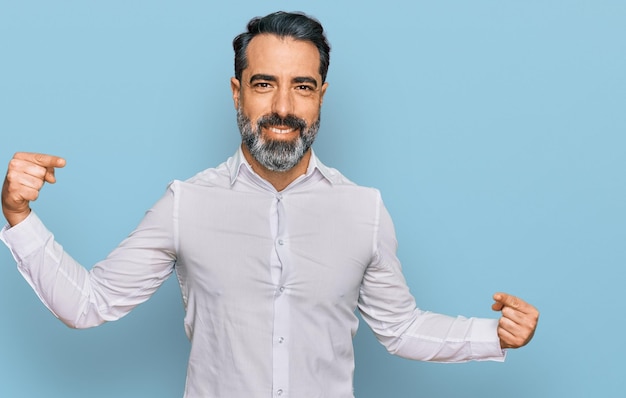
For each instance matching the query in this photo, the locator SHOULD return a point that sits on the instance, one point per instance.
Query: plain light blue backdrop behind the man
(494, 129)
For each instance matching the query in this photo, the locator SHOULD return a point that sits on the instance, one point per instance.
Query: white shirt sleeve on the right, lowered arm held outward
(390, 310)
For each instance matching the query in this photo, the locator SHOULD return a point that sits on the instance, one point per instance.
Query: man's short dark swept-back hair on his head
(296, 25)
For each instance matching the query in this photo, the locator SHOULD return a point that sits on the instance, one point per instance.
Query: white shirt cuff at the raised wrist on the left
(24, 238)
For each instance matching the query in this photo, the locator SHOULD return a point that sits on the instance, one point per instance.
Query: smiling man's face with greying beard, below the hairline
(278, 100)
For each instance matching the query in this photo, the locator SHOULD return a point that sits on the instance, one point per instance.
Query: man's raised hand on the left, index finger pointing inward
(26, 174)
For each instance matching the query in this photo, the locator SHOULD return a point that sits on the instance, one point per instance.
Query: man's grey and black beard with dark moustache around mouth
(277, 155)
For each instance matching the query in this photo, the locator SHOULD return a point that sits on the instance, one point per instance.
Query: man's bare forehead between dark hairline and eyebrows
(282, 56)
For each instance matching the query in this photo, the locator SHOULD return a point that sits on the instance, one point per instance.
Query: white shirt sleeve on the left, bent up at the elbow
(84, 298)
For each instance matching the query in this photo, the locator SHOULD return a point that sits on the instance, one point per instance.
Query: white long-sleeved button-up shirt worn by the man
(270, 281)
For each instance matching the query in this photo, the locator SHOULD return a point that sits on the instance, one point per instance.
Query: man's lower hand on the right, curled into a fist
(518, 322)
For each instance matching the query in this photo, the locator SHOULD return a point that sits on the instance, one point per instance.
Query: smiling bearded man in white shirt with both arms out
(274, 251)
